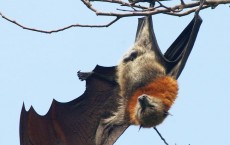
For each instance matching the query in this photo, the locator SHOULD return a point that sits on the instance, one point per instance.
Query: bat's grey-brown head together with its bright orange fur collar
(149, 105)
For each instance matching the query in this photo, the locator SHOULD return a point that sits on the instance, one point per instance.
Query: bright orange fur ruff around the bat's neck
(164, 88)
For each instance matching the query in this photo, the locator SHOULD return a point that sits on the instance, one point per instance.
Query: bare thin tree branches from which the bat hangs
(180, 9)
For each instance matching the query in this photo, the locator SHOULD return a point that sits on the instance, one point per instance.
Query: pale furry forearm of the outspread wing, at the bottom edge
(108, 134)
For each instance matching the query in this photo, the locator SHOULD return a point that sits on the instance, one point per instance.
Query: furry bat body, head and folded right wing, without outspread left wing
(147, 78)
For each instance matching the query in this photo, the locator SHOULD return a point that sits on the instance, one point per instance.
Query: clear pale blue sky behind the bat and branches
(35, 68)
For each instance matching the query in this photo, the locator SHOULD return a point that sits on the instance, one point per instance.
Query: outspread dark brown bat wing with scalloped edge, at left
(78, 122)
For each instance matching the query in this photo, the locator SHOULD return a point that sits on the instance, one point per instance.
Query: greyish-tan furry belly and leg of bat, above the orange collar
(133, 73)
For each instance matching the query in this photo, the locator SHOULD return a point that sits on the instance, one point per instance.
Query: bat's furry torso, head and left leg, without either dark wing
(147, 91)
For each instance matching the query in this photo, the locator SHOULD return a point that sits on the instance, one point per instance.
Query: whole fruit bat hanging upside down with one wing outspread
(116, 97)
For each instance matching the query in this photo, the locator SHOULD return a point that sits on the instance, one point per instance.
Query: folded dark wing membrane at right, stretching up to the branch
(177, 54)
